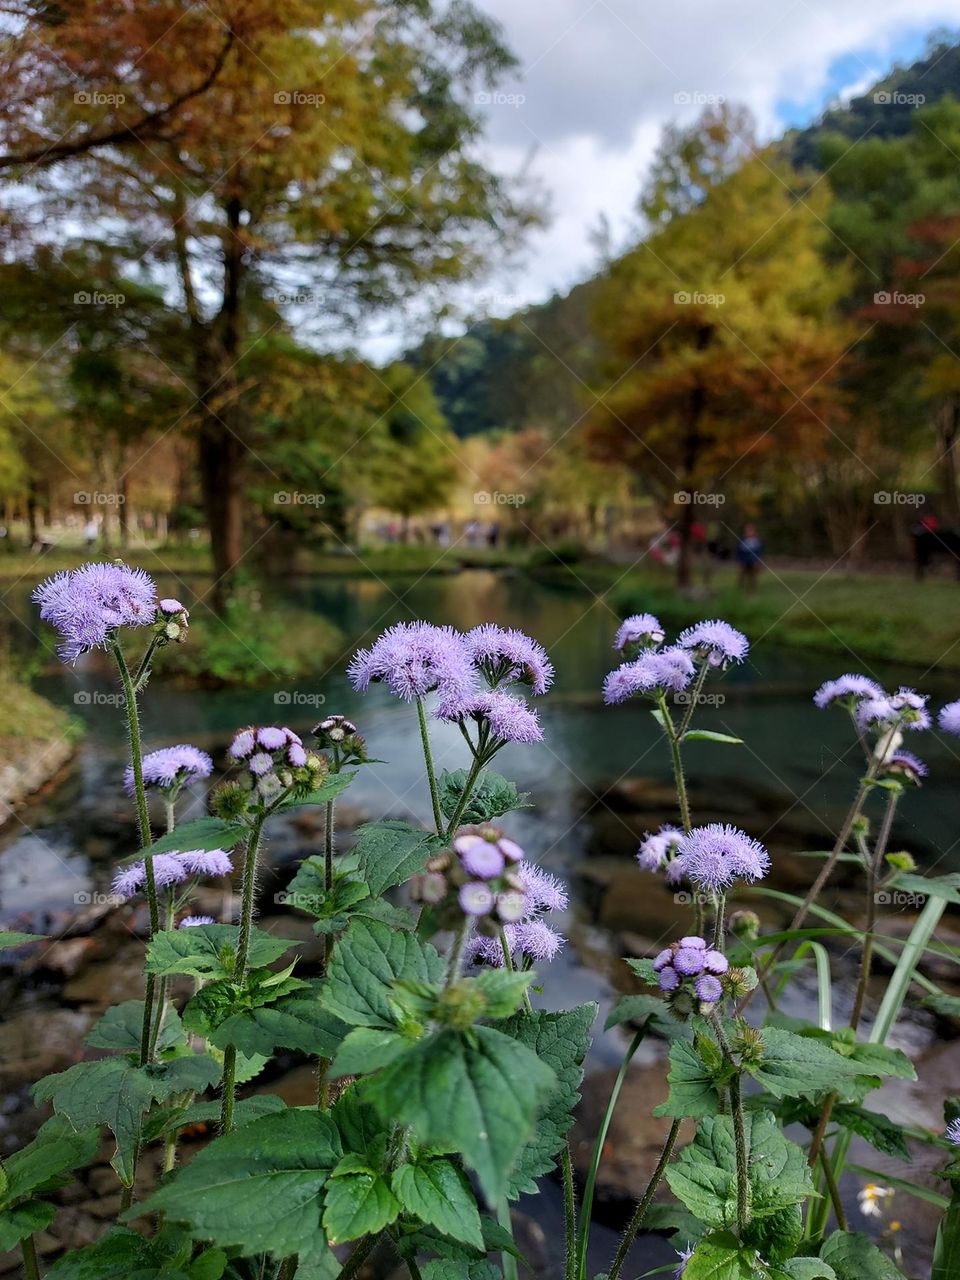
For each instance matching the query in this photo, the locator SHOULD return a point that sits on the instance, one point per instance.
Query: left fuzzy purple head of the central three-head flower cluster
(413, 660)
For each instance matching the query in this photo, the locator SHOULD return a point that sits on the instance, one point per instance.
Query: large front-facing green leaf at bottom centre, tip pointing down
(478, 1092)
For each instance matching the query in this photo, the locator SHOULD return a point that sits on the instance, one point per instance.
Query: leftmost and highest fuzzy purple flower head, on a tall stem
(88, 605)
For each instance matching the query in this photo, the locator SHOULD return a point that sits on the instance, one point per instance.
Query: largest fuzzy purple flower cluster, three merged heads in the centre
(467, 671)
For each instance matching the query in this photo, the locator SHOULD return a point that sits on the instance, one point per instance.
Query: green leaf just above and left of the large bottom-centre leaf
(367, 962)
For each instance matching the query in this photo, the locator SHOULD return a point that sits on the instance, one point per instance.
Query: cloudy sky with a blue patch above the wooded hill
(600, 79)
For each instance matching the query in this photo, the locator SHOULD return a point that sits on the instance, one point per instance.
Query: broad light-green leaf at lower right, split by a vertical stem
(706, 1178)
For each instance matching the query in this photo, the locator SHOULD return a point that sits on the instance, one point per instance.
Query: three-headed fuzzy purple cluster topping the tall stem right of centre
(655, 671)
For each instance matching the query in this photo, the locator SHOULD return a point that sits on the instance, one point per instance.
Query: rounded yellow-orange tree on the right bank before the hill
(721, 330)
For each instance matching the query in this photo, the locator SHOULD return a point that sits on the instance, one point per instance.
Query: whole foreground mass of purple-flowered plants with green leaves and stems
(445, 1089)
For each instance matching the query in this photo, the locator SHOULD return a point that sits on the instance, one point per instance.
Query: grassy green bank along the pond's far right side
(881, 619)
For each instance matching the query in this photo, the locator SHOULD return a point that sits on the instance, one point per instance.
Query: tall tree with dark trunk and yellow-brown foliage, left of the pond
(331, 166)
